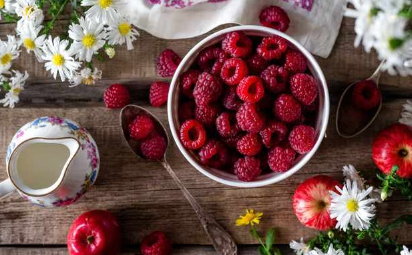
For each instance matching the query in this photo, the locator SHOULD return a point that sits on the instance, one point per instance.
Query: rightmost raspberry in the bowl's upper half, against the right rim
(304, 88)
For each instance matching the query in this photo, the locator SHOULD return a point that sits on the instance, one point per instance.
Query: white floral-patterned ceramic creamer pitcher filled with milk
(51, 162)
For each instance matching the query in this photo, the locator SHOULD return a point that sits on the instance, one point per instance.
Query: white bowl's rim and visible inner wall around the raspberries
(224, 177)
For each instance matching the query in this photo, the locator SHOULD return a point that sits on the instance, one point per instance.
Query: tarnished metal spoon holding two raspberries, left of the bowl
(222, 241)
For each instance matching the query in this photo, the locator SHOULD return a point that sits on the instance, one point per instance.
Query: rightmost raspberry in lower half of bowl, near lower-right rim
(302, 138)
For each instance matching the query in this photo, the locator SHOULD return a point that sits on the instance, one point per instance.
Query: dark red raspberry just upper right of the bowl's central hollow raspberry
(275, 79)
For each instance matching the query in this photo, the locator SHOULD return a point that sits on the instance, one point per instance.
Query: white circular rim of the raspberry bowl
(274, 179)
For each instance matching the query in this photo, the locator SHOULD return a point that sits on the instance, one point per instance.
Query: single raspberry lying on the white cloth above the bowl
(274, 17)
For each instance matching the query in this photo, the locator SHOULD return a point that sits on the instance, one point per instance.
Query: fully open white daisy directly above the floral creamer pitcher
(59, 59)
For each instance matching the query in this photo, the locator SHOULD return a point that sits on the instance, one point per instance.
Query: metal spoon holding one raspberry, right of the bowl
(350, 121)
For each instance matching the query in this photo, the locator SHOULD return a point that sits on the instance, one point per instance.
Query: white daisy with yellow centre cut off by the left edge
(8, 52)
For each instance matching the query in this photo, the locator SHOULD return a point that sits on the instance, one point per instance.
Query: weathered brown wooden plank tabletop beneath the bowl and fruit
(142, 195)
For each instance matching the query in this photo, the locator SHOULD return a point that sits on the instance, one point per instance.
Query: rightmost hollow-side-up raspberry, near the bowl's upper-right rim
(272, 47)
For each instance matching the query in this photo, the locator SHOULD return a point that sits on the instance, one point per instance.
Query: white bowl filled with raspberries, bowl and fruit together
(248, 106)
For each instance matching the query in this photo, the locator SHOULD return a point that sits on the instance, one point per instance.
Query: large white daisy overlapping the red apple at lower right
(352, 206)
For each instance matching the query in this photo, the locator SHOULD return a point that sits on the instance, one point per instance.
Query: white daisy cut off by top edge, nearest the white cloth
(103, 11)
